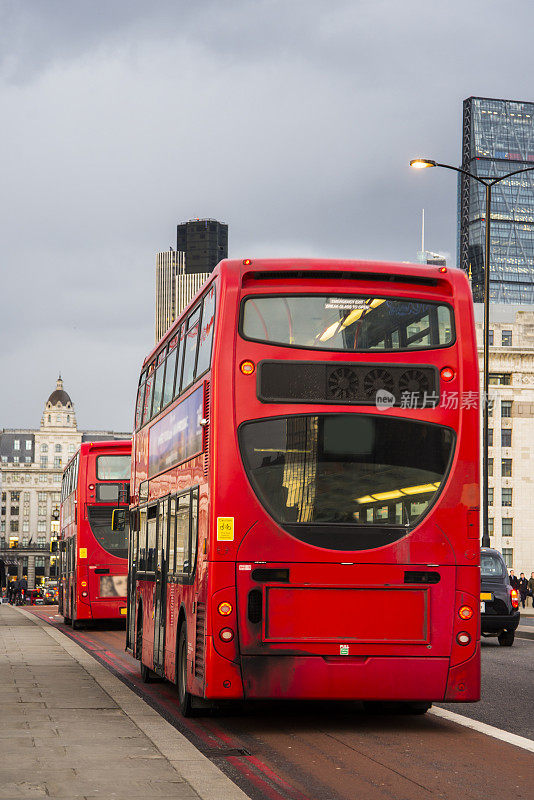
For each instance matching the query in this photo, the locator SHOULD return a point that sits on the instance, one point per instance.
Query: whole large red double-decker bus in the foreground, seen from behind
(305, 495)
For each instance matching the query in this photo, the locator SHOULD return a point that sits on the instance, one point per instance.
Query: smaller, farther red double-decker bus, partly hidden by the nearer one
(93, 558)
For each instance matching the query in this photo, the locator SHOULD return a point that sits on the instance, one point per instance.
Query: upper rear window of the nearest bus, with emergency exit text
(356, 323)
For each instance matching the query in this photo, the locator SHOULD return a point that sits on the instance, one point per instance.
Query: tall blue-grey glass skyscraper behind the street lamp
(498, 137)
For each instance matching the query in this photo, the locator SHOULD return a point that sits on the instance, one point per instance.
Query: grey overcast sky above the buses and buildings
(291, 120)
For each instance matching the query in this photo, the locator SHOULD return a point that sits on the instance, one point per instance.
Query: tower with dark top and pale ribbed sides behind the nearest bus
(201, 244)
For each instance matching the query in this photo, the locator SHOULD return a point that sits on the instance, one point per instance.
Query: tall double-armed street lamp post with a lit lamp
(488, 183)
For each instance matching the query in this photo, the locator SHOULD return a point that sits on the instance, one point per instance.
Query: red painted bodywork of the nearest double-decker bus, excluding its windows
(379, 621)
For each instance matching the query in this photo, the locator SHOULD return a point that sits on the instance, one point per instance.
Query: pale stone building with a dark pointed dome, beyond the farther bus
(31, 468)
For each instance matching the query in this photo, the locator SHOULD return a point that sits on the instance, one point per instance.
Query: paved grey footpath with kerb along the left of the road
(71, 729)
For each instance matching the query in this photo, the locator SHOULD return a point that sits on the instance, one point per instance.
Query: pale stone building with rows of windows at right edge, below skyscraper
(511, 431)
